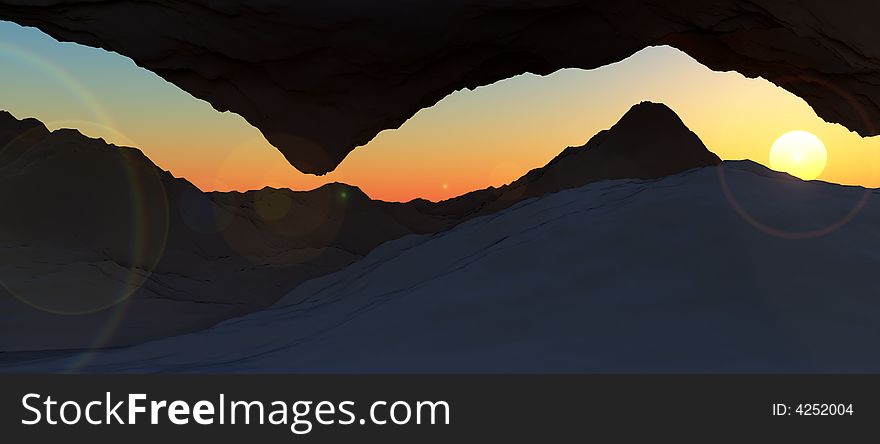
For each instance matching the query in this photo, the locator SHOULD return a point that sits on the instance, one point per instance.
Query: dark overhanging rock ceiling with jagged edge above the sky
(320, 78)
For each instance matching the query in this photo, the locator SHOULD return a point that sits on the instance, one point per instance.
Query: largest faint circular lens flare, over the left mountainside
(46, 264)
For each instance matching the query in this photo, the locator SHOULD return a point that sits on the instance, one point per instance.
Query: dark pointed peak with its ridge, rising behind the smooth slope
(648, 142)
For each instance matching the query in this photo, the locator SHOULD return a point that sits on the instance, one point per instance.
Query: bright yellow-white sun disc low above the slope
(799, 153)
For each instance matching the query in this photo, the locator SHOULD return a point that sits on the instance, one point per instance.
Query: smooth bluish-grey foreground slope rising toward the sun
(625, 275)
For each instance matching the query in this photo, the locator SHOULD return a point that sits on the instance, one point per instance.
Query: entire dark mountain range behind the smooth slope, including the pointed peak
(93, 222)
